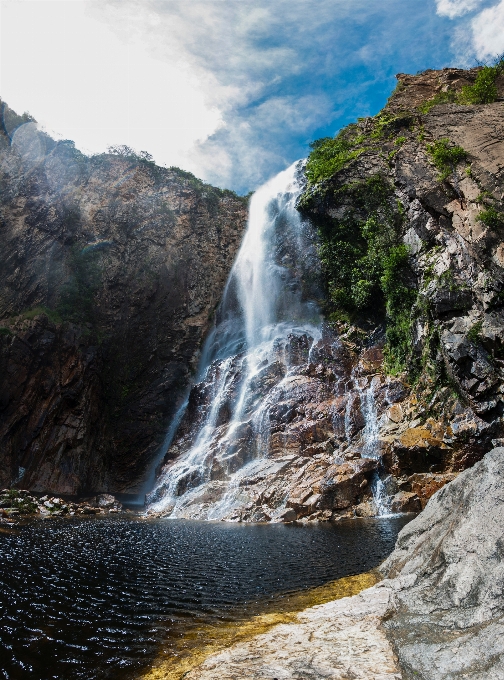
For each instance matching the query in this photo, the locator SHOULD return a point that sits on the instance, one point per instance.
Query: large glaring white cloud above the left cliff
(83, 82)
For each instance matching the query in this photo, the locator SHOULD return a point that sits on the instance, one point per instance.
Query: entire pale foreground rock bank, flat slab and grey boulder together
(437, 615)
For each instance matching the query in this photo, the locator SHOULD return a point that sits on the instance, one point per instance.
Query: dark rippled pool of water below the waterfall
(96, 598)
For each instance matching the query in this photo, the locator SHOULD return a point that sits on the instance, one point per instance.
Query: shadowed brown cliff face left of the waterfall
(110, 270)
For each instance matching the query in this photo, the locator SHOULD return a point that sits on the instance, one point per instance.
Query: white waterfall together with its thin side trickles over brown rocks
(267, 328)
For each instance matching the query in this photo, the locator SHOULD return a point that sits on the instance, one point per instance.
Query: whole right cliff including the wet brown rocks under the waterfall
(405, 388)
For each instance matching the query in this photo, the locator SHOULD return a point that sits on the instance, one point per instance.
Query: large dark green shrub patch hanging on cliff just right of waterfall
(366, 264)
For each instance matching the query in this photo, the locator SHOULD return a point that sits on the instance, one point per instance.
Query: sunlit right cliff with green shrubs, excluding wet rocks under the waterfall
(416, 196)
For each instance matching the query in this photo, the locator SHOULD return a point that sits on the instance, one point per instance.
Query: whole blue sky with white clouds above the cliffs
(232, 90)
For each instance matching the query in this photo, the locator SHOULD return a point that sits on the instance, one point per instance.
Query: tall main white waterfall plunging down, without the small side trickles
(264, 304)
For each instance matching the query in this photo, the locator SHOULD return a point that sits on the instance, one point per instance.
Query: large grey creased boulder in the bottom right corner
(448, 620)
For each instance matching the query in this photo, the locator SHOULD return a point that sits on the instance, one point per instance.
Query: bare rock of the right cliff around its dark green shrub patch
(449, 411)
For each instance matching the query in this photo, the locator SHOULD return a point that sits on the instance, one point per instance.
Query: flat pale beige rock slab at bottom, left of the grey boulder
(340, 640)
